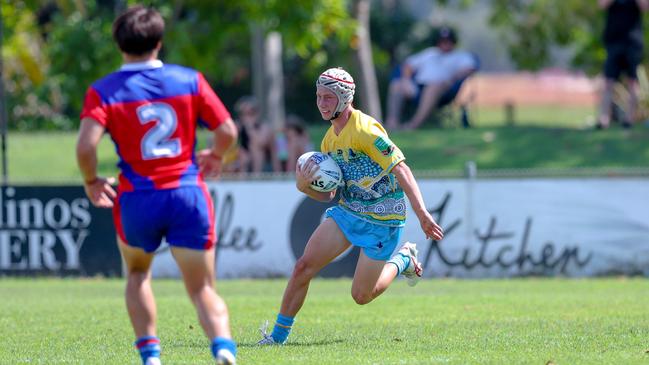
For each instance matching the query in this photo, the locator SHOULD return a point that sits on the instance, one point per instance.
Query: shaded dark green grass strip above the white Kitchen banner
(524, 147)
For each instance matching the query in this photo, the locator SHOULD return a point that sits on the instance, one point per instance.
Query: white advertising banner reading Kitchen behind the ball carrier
(494, 228)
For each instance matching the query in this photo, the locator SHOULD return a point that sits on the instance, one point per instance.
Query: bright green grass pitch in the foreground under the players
(522, 321)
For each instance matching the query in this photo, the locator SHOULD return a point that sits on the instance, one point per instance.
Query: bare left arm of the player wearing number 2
(98, 189)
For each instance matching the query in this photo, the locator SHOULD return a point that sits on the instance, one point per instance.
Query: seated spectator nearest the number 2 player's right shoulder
(258, 150)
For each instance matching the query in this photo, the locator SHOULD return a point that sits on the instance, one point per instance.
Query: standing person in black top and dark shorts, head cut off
(623, 39)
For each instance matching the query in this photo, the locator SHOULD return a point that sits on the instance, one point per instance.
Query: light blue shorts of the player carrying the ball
(378, 241)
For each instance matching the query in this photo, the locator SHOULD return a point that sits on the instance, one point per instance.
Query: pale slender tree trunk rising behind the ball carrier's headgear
(367, 89)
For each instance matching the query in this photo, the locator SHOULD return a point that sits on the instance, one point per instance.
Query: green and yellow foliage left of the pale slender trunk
(47, 80)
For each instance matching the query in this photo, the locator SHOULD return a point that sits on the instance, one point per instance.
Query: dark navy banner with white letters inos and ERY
(55, 230)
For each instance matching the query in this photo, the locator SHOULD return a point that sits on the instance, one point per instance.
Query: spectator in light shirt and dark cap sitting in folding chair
(426, 76)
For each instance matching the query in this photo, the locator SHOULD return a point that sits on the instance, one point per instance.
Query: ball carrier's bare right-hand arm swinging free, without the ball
(409, 185)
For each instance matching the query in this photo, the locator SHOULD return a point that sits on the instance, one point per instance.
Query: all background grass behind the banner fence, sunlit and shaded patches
(542, 138)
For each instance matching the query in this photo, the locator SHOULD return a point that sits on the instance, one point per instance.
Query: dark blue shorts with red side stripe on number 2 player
(184, 216)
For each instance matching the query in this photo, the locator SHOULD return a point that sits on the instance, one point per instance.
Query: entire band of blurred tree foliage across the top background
(54, 49)
